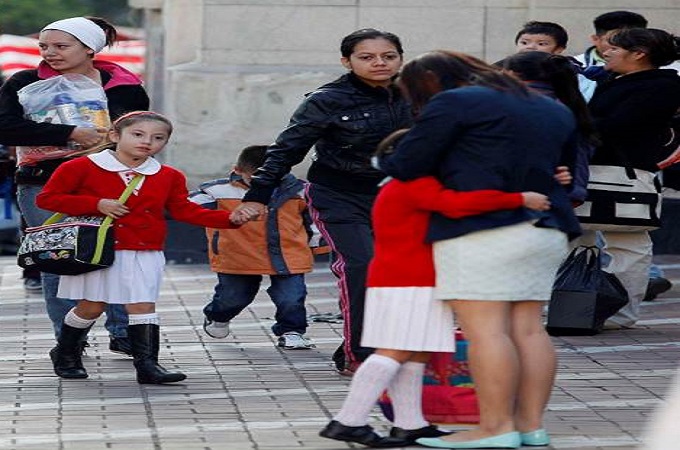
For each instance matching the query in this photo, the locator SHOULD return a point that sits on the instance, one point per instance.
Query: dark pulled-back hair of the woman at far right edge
(661, 47)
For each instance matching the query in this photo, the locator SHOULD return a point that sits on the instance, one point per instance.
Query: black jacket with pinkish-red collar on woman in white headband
(124, 93)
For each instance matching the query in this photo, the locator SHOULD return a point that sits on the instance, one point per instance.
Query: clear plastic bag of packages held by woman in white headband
(70, 99)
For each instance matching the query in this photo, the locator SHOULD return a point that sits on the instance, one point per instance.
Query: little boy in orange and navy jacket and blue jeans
(277, 244)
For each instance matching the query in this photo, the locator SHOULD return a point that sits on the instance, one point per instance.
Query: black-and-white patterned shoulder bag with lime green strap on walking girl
(72, 246)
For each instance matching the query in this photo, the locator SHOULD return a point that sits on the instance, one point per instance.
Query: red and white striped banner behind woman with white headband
(21, 52)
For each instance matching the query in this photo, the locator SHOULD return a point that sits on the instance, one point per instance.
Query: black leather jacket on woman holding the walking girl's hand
(344, 120)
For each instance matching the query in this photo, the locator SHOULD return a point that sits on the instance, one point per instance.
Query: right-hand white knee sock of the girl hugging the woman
(406, 393)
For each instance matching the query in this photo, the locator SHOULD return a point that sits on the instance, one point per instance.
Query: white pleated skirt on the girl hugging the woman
(407, 318)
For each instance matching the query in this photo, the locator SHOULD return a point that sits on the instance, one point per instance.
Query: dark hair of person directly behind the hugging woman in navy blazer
(559, 73)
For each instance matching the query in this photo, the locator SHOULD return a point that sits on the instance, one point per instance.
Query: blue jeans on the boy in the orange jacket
(234, 292)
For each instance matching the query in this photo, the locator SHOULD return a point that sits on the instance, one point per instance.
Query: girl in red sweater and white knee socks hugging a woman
(402, 320)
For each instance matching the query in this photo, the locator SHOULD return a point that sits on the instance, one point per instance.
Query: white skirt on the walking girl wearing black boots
(134, 277)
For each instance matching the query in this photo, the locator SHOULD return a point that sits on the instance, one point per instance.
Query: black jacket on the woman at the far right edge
(632, 114)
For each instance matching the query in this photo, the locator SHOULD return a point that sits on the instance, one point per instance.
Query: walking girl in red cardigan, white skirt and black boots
(91, 185)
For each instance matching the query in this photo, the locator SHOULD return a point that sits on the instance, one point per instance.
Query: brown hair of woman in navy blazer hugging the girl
(452, 70)
